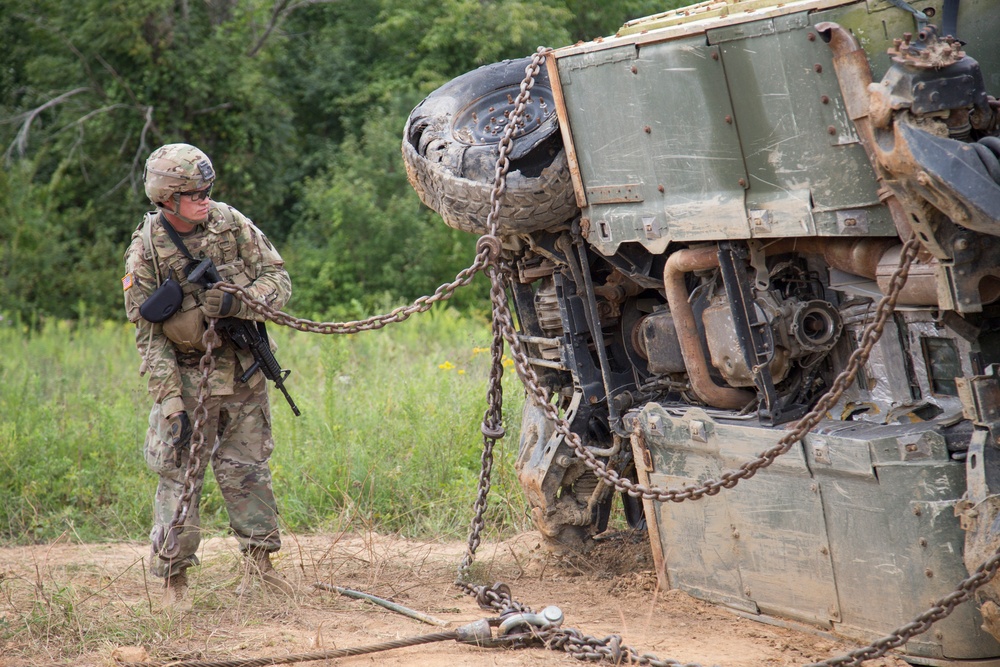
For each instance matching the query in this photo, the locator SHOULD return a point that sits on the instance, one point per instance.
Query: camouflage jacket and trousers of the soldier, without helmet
(238, 429)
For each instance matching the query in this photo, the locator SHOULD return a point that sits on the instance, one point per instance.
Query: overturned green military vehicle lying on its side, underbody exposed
(701, 216)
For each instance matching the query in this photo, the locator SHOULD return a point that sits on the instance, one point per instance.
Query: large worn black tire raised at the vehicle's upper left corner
(451, 143)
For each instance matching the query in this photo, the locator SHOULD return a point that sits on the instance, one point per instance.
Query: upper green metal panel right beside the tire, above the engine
(659, 158)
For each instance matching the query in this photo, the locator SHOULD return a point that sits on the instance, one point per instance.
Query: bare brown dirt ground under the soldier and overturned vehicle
(72, 604)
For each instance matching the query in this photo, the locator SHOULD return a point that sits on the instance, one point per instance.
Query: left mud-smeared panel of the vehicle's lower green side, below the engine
(761, 546)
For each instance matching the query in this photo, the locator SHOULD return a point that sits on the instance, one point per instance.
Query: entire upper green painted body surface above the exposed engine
(738, 131)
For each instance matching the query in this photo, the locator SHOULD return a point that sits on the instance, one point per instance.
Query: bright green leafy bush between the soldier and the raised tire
(364, 240)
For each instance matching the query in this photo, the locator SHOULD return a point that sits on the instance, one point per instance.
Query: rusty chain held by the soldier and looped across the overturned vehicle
(498, 596)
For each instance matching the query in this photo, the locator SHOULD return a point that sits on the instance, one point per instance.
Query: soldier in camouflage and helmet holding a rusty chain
(188, 226)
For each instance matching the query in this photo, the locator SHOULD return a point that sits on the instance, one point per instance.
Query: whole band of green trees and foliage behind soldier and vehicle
(300, 105)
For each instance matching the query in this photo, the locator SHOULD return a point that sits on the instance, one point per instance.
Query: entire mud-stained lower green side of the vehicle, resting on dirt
(853, 529)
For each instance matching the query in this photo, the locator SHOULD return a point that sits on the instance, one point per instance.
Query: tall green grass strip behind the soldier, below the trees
(388, 438)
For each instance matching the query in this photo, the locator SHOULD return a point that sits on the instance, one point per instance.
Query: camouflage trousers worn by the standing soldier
(238, 433)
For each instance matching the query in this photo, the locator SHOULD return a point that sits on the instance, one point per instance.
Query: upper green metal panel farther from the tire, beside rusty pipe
(802, 153)
